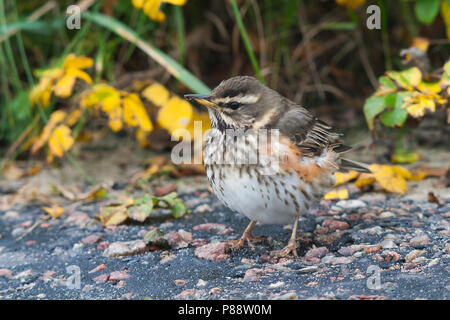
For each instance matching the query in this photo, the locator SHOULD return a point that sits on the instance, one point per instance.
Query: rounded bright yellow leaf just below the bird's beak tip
(176, 114)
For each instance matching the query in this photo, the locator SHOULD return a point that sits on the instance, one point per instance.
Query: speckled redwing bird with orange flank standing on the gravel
(267, 157)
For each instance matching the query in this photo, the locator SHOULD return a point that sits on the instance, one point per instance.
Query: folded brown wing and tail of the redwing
(312, 136)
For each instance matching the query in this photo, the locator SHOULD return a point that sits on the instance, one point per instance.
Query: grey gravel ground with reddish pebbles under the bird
(373, 246)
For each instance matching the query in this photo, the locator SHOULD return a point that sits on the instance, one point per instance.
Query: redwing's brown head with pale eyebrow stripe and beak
(240, 102)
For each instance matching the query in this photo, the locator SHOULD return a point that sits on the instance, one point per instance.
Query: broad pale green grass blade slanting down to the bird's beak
(160, 57)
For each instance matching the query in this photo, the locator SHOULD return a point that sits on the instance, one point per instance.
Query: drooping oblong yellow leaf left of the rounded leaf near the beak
(134, 113)
